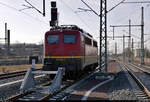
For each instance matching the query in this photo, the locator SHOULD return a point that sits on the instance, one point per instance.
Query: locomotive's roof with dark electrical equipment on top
(71, 27)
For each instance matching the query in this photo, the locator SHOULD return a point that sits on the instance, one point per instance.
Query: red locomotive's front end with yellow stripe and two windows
(62, 49)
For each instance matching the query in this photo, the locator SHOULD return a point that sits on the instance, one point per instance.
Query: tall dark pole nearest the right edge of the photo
(142, 37)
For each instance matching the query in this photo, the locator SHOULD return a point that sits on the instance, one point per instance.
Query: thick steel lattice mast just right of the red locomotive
(103, 35)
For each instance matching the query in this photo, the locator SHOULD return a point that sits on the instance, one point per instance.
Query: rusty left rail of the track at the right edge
(140, 84)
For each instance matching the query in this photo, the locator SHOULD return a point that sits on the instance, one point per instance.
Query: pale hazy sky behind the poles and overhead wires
(29, 26)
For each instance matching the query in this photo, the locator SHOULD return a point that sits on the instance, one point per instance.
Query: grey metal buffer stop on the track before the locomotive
(28, 84)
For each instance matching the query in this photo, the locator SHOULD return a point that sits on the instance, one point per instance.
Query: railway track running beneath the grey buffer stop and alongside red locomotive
(42, 94)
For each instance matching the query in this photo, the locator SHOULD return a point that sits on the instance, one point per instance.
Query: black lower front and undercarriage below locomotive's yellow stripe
(72, 66)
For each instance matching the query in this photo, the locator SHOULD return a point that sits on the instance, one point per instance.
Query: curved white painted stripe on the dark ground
(93, 88)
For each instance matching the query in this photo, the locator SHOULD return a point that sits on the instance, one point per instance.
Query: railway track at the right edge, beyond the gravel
(139, 75)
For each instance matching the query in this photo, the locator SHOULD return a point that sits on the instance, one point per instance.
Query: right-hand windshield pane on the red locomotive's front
(69, 38)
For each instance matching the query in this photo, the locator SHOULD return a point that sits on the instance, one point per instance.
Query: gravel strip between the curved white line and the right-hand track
(121, 88)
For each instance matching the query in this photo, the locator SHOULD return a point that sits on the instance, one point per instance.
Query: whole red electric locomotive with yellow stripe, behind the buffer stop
(69, 47)
